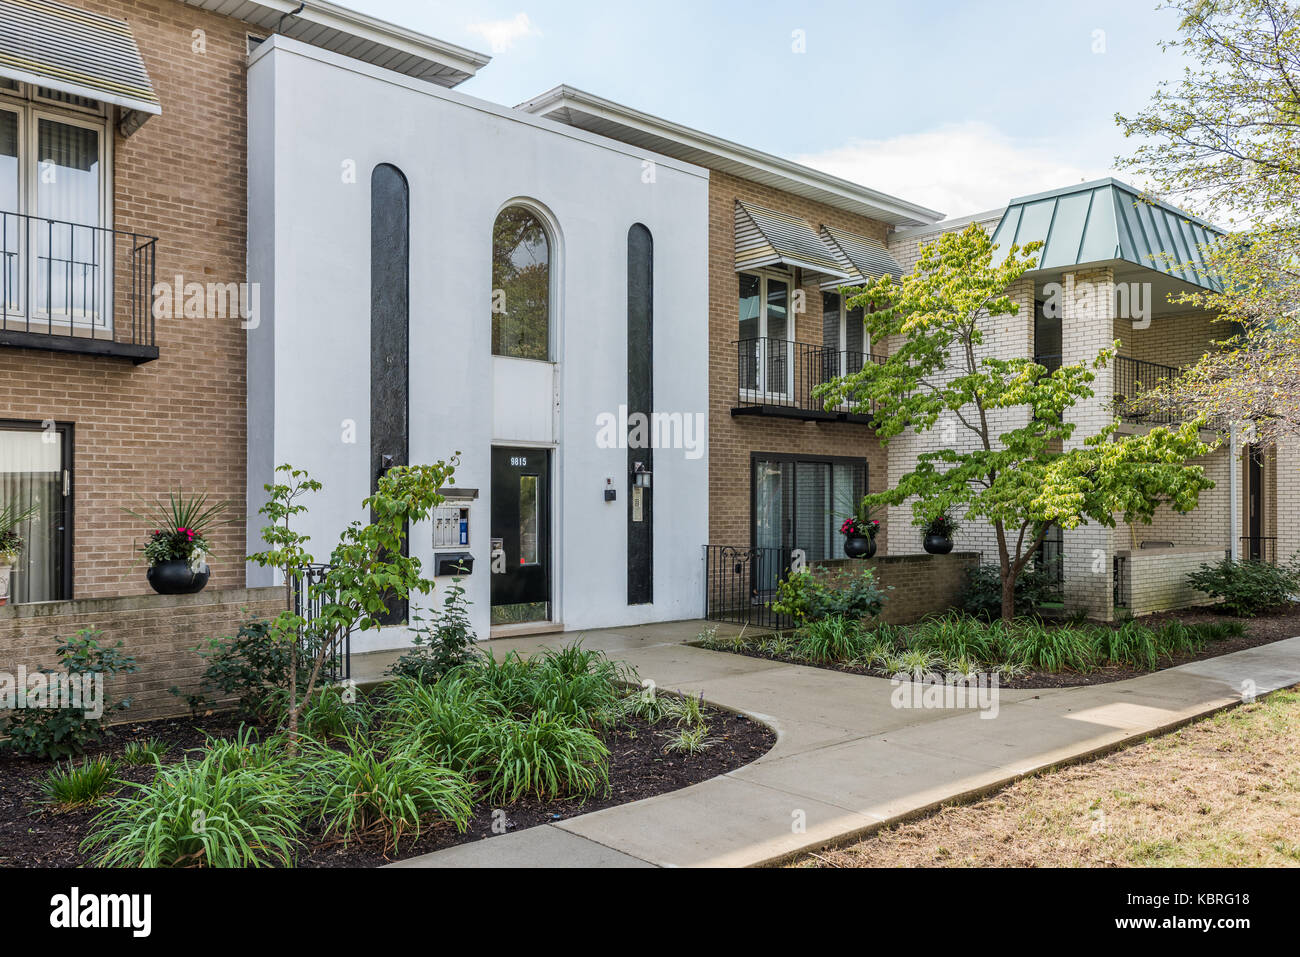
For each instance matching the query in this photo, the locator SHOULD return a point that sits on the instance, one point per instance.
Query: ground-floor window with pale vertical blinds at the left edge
(36, 483)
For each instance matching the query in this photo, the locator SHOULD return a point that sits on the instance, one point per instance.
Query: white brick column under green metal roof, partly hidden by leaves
(1087, 327)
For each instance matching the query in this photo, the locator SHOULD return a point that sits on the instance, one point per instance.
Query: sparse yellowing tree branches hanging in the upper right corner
(1225, 142)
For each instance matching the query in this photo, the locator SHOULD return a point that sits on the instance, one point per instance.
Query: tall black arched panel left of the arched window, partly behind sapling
(391, 332)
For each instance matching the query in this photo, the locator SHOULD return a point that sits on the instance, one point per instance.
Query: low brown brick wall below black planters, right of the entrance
(917, 586)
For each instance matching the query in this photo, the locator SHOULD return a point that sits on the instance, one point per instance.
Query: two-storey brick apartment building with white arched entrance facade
(302, 166)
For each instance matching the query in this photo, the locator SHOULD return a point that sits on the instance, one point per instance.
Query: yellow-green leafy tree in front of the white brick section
(1020, 479)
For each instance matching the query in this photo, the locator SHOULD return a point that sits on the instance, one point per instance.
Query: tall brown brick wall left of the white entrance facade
(180, 421)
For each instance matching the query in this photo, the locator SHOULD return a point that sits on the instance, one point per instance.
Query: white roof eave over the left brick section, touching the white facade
(366, 38)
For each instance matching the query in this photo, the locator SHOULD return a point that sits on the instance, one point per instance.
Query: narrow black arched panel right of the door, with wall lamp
(640, 400)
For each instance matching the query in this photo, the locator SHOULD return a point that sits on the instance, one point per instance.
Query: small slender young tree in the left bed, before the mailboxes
(367, 569)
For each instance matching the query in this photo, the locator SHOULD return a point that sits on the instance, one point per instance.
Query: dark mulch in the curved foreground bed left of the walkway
(36, 835)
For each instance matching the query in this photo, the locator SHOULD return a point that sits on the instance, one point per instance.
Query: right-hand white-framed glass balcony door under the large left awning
(70, 270)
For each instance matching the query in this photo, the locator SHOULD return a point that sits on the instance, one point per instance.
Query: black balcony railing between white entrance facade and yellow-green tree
(778, 378)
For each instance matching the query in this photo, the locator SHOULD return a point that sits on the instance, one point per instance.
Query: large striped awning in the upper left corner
(60, 47)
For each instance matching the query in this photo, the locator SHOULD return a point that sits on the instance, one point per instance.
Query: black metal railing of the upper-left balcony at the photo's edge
(72, 288)
